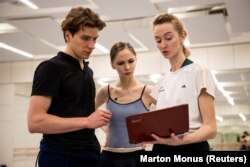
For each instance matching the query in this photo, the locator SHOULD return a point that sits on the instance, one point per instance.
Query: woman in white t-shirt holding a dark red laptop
(184, 83)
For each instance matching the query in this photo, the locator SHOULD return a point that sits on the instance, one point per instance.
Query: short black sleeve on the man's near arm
(46, 80)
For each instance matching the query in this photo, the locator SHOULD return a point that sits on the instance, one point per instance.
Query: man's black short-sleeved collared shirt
(73, 92)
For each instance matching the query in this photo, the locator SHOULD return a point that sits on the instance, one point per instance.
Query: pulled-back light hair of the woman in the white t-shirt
(170, 18)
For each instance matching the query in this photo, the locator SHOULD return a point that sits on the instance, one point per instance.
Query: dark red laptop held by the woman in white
(160, 122)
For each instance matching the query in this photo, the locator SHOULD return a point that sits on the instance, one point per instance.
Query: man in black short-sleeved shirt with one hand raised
(62, 100)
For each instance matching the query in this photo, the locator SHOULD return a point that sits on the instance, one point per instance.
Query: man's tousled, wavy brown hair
(80, 17)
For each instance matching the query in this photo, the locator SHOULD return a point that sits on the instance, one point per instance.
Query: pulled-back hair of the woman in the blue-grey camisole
(119, 46)
